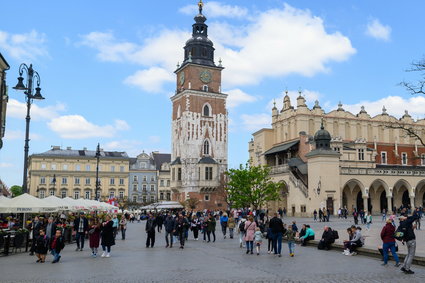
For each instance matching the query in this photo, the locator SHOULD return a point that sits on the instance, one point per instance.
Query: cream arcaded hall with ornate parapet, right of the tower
(340, 159)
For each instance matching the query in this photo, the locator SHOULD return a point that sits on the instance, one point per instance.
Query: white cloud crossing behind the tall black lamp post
(17, 109)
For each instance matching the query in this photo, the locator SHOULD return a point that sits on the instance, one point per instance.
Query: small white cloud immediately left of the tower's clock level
(151, 80)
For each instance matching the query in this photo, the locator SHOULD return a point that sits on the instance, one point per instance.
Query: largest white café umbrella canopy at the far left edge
(27, 204)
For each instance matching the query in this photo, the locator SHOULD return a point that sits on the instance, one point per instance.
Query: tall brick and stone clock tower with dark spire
(199, 122)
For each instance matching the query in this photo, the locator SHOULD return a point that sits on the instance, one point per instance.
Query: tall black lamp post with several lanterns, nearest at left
(29, 96)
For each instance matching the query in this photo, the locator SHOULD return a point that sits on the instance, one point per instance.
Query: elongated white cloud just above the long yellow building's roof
(77, 127)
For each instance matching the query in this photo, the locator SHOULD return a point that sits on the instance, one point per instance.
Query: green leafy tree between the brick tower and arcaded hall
(252, 186)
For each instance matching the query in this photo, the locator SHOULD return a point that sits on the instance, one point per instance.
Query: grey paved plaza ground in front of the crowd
(222, 261)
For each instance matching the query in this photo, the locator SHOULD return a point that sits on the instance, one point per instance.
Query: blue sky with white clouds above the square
(106, 67)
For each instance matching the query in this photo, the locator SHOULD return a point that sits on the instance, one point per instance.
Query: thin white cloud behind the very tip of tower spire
(215, 9)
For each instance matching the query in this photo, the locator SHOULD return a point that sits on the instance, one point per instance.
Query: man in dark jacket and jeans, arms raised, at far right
(410, 240)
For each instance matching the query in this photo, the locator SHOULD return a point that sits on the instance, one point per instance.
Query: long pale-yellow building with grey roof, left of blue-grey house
(70, 172)
